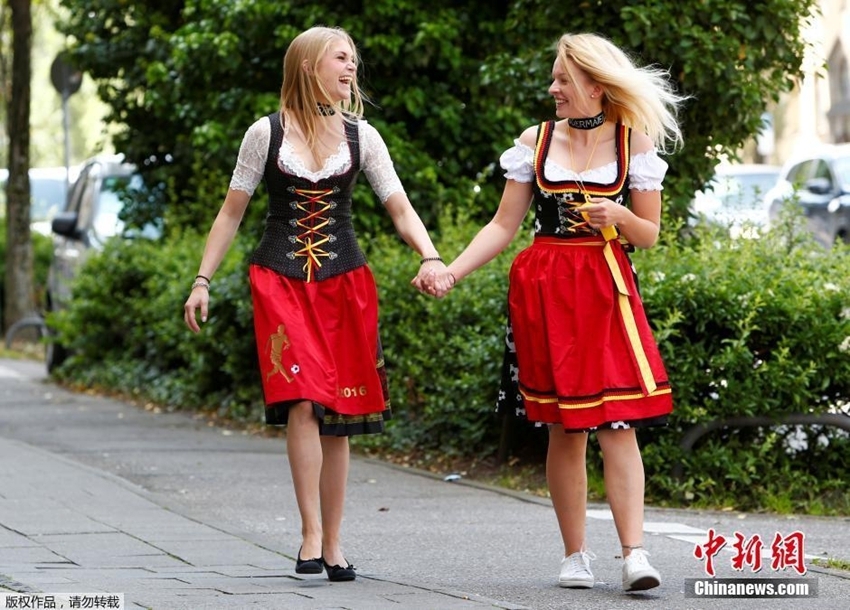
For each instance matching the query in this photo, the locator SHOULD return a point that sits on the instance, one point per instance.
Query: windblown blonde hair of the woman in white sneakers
(641, 97)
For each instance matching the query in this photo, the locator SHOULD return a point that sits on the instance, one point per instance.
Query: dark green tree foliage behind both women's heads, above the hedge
(452, 83)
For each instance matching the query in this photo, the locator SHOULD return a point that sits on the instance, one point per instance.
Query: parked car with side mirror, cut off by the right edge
(819, 182)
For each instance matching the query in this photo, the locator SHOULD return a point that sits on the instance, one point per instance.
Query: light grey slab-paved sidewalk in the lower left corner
(71, 528)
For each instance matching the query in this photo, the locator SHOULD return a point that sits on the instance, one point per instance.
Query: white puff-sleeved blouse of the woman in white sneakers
(646, 170)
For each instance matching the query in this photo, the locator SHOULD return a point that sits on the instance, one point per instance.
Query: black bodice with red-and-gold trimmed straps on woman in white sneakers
(555, 202)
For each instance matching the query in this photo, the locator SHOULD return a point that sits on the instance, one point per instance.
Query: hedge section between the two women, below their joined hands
(443, 356)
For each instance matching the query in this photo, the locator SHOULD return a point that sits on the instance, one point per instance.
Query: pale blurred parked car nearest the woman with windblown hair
(734, 198)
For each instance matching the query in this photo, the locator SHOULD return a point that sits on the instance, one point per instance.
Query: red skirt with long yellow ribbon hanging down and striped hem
(585, 351)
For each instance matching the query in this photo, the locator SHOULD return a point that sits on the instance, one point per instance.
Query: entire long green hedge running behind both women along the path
(749, 327)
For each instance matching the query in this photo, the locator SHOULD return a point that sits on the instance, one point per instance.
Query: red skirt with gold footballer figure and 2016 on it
(318, 341)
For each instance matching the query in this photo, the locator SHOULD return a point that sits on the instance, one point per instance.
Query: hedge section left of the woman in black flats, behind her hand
(125, 328)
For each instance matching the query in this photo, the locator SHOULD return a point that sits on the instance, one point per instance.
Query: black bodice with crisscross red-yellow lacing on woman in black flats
(309, 234)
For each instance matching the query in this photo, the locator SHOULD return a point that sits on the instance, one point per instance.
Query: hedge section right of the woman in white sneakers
(751, 328)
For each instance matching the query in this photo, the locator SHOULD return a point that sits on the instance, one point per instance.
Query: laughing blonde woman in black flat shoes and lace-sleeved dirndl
(315, 301)
